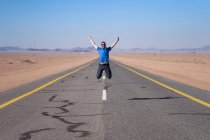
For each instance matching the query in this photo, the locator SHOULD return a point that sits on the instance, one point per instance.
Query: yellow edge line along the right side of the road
(167, 87)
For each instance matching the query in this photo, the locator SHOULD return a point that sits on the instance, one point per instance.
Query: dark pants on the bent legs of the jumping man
(106, 68)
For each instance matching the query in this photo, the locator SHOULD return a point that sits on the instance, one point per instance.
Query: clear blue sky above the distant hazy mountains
(138, 23)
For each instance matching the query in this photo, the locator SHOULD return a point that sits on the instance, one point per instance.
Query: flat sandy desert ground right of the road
(190, 68)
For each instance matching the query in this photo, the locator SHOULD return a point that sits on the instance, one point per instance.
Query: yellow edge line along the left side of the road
(41, 87)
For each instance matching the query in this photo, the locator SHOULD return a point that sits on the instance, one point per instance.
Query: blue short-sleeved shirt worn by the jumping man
(103, 54)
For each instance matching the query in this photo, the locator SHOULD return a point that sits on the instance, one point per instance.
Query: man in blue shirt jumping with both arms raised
(103, 52)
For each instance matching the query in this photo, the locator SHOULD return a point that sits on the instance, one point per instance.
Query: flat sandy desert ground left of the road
(19, 68)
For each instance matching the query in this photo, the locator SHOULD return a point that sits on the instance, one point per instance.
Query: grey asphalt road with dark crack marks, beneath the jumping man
(135, 109)
